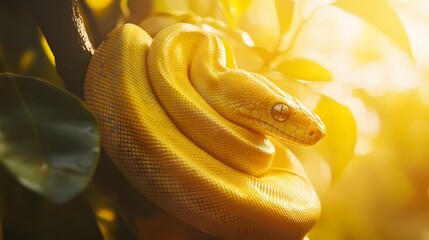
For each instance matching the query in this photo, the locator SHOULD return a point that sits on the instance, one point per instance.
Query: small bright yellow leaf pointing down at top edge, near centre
(233, 9)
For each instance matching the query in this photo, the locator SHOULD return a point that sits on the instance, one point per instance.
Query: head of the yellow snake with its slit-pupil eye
(258, 104)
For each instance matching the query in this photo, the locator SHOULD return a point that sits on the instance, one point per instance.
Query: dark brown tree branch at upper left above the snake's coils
(63, 28)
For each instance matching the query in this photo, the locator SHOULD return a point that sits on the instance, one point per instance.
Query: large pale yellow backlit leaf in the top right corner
(379, 14)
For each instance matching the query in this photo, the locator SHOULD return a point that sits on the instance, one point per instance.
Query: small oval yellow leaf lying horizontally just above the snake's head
(304, 69)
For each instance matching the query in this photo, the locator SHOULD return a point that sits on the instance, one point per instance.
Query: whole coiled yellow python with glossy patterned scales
(190, 131)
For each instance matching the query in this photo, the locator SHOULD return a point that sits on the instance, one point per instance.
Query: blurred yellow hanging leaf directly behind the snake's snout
(337, 147)
